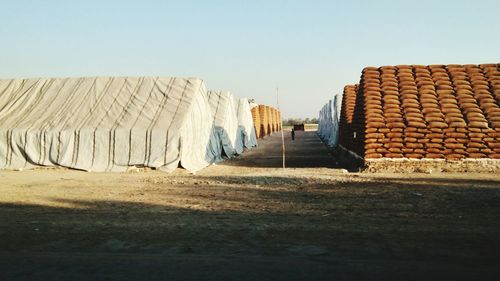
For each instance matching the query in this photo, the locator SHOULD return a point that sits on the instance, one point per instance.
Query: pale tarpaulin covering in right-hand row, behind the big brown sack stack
(328, 129)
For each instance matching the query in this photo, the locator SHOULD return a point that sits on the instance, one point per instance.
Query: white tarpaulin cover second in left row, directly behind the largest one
(226, 122)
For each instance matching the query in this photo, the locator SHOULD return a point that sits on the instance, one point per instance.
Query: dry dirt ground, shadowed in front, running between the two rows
(248, 219)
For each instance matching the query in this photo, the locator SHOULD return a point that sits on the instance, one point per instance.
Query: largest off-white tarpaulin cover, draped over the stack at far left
(106, 124)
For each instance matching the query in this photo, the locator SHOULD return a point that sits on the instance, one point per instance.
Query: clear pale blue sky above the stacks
(310, 49)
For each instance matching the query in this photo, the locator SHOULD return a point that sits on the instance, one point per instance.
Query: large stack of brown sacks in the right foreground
(437, 111)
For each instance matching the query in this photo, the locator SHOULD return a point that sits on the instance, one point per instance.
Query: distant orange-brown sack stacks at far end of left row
(267, 120)
